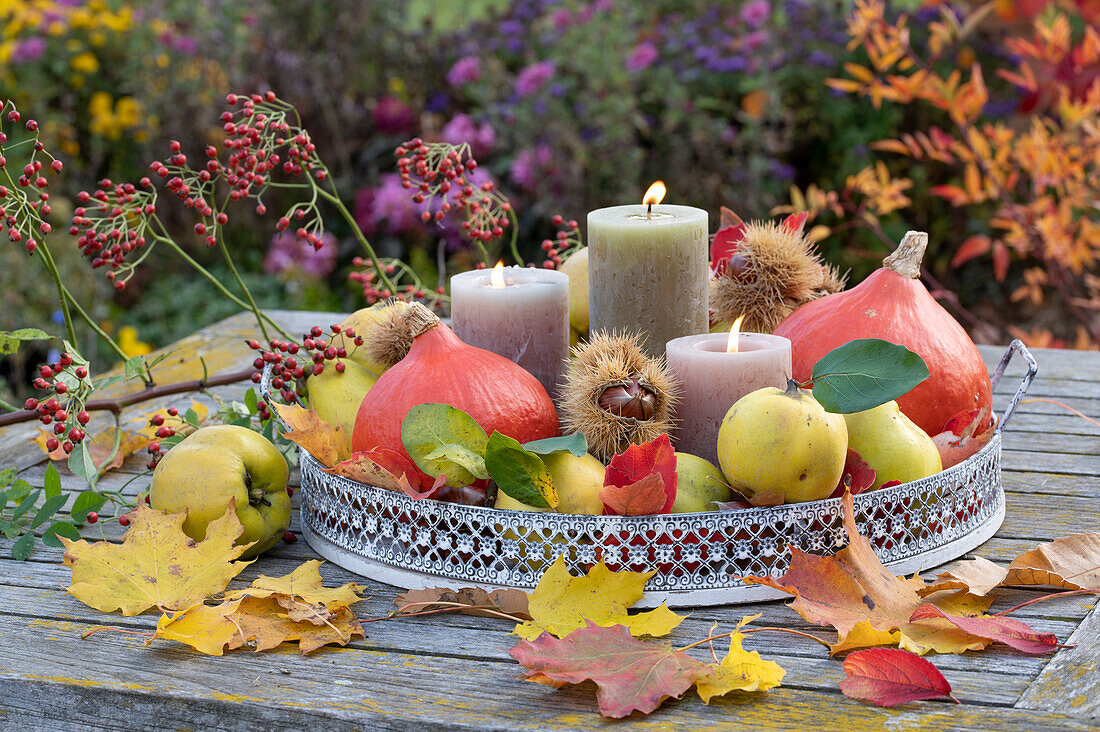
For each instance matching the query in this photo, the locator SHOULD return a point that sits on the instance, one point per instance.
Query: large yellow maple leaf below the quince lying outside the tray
(157, 565)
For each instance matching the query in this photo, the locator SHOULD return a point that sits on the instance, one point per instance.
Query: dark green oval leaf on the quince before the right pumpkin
(862, 375)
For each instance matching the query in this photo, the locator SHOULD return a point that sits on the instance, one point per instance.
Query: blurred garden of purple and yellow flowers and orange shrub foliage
(974, 122)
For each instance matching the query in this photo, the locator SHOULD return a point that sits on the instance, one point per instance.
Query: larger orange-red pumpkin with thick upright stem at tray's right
(894, 305)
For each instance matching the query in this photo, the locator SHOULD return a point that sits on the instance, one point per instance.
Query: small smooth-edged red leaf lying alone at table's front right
(887, 678)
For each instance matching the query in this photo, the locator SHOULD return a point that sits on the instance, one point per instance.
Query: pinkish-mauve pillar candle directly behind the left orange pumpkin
(524, 318)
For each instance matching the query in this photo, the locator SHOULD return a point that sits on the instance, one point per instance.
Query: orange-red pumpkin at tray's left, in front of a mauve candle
(442, 369)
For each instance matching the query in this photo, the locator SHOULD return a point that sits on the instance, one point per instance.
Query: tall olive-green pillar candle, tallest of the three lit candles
(648, 272)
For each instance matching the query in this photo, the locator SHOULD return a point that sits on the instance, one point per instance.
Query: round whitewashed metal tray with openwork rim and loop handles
(390, 538)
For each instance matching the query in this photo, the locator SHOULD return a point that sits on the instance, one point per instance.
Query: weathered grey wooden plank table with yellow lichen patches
(455, 671)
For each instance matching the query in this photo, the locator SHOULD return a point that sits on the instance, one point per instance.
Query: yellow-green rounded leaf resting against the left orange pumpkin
(432, 433)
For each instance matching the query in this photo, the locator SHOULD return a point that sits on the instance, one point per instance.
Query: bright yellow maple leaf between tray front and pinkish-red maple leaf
(563, 604)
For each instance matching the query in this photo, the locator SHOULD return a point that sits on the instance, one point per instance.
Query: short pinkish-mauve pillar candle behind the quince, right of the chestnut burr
(712, 380)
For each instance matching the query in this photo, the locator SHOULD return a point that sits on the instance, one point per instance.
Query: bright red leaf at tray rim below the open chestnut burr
(636, 479)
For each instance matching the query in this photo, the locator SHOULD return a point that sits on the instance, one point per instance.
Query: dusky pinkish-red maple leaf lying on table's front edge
(631, 675)
